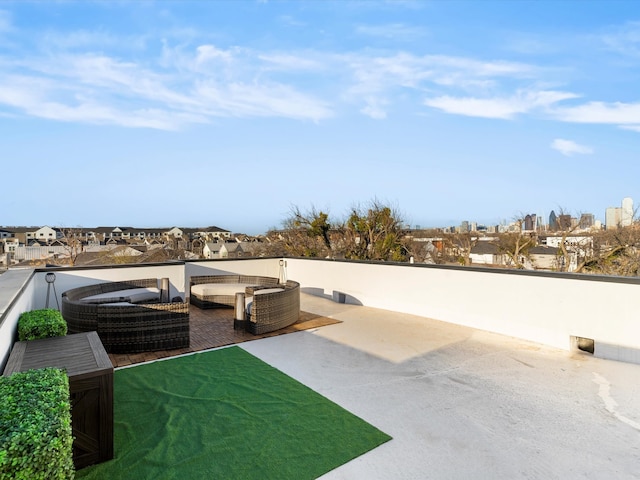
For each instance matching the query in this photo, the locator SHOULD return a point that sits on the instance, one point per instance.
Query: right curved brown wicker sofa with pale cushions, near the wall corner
(269, 305)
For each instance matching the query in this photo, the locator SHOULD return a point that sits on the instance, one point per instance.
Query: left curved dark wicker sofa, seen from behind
(128, 316)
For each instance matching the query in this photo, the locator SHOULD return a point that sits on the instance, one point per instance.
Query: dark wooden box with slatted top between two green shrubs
(90, 375)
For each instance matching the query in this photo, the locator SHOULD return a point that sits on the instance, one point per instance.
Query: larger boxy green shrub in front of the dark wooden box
(35, 426)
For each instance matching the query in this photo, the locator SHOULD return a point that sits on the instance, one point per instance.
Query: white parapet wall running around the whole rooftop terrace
(552, 309)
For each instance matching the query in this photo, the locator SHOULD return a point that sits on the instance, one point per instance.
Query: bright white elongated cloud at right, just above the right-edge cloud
(502, 108)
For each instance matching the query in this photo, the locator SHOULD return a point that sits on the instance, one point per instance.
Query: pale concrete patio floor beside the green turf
(462, 403)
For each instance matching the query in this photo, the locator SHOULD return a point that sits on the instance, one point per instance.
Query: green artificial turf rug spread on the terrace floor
(226, 414)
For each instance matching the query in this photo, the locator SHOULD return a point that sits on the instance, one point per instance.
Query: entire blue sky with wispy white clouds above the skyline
(228, 113)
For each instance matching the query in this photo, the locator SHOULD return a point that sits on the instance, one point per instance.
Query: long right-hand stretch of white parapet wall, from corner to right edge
(491, 299)
